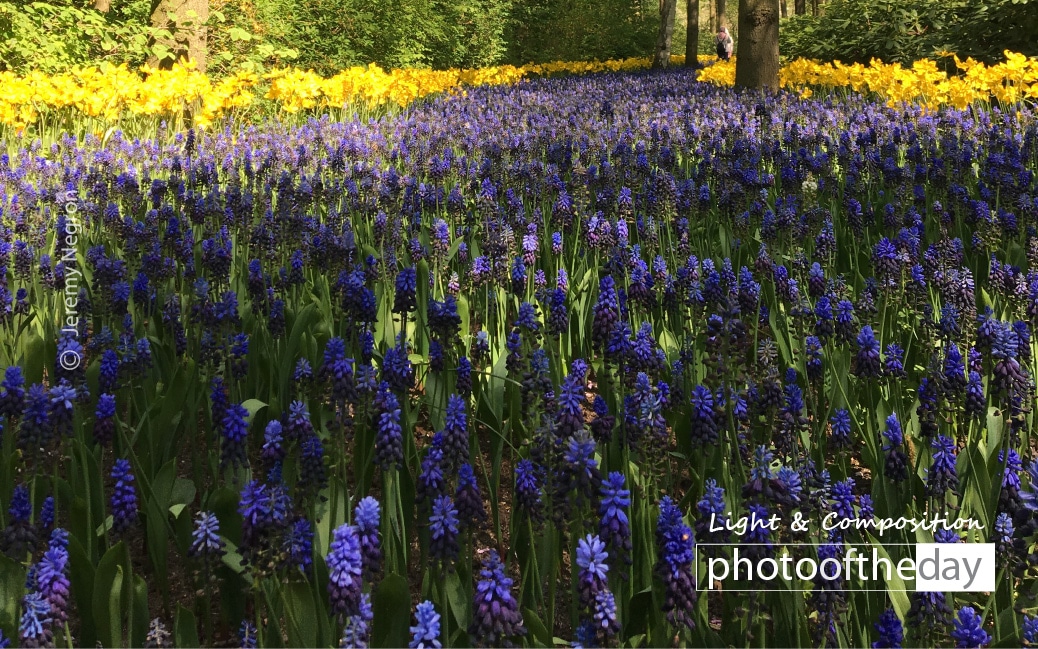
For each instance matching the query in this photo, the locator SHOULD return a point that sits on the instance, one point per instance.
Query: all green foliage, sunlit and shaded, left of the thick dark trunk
(257, 35)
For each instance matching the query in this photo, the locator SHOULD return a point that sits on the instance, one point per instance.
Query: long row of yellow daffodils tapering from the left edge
(110, 93)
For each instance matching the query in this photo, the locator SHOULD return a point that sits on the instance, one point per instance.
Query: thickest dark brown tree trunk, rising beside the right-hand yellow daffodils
(757, 63)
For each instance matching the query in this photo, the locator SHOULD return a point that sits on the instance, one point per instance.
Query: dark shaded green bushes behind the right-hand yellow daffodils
(907, 31)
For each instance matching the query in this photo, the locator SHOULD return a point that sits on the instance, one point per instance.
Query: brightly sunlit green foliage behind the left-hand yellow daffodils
(52, 37)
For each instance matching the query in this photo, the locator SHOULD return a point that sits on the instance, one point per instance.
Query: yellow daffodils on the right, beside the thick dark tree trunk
(1008, 83)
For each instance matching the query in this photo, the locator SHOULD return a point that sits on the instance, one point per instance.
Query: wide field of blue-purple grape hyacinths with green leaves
(495, 366)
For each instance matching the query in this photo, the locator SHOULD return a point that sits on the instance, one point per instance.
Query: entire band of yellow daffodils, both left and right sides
(111, 94)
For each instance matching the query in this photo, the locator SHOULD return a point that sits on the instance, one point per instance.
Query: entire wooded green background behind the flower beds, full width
(329, 36)
